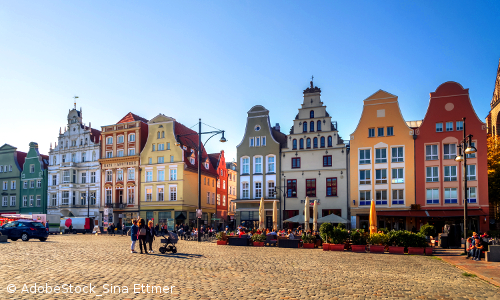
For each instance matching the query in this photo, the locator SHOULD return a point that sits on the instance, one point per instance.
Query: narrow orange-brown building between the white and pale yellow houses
(121, 145)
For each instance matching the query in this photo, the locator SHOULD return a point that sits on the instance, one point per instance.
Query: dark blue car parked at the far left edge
(24, 230)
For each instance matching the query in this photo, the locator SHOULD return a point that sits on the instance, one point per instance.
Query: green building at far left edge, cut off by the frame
(11, 166)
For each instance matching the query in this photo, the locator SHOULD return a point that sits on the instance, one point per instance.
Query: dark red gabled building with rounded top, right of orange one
(439, 178)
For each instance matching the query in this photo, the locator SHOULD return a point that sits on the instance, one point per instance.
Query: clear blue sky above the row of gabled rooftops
(216, 59)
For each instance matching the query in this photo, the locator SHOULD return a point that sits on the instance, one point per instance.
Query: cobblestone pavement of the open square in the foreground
(208, 271)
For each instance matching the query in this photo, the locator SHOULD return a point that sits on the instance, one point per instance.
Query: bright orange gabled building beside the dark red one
(382, 165)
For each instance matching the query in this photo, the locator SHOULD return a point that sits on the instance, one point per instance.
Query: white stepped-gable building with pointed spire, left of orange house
(314, 164)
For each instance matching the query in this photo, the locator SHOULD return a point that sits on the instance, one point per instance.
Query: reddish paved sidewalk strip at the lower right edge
(489, 271)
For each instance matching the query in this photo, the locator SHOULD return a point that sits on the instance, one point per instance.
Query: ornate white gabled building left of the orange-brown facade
(74, 170)
